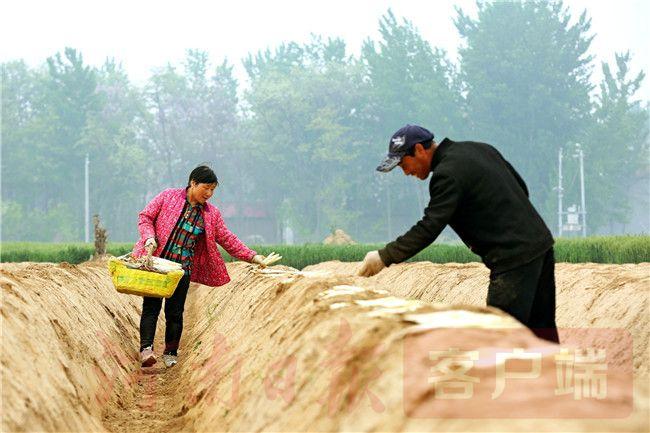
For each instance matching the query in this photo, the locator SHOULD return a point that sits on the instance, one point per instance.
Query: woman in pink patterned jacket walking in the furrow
(180, 225)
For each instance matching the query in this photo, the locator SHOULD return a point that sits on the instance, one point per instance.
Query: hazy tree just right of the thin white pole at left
(113, 137)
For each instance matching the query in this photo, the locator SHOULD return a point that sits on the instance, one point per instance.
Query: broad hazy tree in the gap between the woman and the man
(302, 135)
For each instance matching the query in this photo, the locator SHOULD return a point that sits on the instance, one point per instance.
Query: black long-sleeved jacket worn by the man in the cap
(481, 196)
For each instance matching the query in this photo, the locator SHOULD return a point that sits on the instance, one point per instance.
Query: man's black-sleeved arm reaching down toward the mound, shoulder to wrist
(445, 196)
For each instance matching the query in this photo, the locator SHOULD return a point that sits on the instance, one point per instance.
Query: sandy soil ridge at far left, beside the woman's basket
(58, 321)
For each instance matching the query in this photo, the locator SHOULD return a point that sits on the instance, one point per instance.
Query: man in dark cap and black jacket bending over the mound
(481, 196)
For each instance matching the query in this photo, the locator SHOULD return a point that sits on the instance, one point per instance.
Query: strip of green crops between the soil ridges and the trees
(613, 249)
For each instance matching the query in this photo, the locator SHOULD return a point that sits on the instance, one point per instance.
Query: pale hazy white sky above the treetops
(146, 34)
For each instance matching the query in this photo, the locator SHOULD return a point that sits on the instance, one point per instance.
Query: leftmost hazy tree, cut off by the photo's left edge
(25, 129)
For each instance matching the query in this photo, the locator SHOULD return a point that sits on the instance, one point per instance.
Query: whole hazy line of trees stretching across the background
(303, 137)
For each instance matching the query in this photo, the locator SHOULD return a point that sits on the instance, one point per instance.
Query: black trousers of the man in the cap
(528, 294)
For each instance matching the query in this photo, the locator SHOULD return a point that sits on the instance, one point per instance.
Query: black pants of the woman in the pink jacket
(174, 307)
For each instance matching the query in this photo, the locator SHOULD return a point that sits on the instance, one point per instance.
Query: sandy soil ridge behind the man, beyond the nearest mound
(589, 295)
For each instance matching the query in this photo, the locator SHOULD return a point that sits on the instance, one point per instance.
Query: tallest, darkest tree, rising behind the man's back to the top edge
(526, 72)
